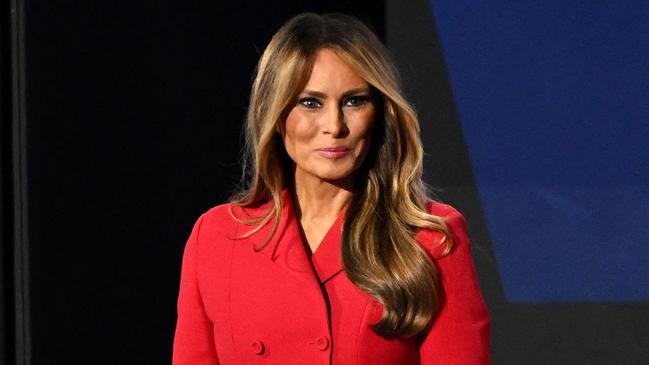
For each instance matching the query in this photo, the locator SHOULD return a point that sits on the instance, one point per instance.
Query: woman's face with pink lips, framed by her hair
(327, 133)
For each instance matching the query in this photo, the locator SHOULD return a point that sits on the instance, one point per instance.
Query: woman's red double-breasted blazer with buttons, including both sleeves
(238, 306)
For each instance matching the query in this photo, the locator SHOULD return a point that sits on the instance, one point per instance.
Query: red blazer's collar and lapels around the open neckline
(288, 250)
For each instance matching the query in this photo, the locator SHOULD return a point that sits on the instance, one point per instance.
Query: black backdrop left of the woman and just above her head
(130, 129)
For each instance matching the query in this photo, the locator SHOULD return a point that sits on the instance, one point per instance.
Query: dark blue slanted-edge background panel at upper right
(554, 102)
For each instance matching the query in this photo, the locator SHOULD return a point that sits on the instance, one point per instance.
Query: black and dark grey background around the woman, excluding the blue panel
(121, 124)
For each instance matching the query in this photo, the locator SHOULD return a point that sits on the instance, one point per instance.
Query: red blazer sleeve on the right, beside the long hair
(460, 332)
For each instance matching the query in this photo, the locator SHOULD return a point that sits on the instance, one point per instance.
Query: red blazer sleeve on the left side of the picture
(193, 340)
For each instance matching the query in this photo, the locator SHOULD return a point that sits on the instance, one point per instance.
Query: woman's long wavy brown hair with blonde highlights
(380, 253)
